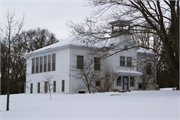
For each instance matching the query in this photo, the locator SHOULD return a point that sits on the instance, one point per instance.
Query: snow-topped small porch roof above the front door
(128, 72)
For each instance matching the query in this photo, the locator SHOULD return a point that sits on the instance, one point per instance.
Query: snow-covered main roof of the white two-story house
(77, 42)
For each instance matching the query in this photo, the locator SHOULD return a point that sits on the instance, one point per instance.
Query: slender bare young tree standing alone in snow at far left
(9, 34)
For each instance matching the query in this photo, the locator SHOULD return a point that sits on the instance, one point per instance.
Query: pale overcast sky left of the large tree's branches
(50, 14)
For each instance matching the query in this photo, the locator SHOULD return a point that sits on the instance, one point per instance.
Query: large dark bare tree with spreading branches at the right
(154, 18)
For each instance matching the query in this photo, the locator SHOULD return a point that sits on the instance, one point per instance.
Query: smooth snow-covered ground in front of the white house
(135, 105)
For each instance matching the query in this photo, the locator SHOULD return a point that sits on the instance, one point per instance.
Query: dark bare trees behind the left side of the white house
(25, 42)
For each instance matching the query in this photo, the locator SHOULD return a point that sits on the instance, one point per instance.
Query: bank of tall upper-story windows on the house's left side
(44, 63)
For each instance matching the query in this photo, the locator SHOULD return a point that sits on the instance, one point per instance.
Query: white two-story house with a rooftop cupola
(57, 60)
